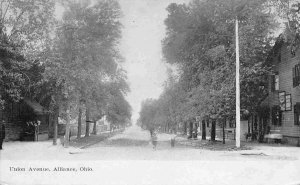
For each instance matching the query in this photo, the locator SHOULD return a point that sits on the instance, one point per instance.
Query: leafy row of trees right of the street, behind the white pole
(200, 43)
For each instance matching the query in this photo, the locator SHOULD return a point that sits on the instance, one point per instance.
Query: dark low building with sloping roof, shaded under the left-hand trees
(25, 120)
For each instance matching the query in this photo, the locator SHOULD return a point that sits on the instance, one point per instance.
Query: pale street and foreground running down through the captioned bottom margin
(128, 158)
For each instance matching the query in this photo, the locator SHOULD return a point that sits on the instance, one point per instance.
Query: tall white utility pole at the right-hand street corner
(237, 86)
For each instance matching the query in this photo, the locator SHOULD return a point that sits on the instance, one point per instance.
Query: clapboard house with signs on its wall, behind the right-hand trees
(280, 110)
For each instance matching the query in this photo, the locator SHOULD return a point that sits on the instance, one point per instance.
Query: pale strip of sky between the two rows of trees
(143, 31)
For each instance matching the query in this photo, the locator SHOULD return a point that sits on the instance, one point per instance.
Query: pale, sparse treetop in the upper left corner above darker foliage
(27, 24)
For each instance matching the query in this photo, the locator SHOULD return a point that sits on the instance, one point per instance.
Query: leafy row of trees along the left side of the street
(70, 65)
